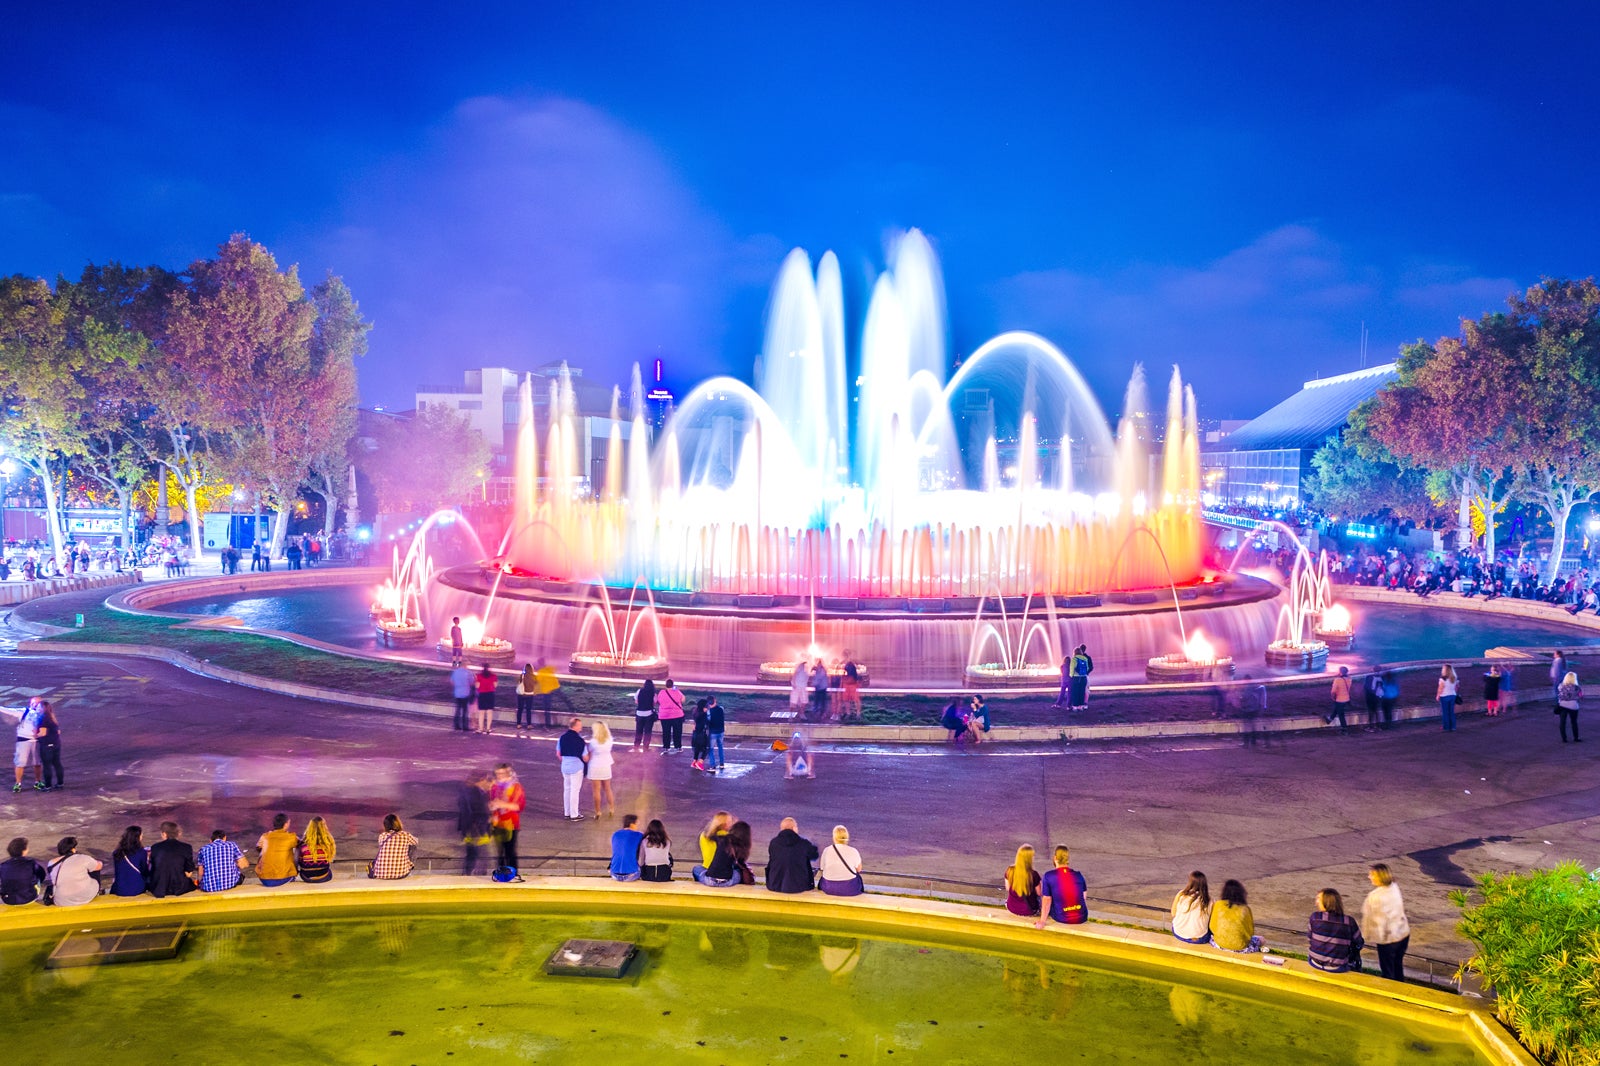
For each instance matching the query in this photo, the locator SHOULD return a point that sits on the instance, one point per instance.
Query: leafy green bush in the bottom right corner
(1538, 947)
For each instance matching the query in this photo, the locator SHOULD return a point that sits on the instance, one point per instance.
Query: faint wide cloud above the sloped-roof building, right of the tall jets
(1247, 327)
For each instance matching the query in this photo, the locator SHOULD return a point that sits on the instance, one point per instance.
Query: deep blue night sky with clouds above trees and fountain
(1234, 188)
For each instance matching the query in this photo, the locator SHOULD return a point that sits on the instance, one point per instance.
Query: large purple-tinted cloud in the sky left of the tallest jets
(535, 231)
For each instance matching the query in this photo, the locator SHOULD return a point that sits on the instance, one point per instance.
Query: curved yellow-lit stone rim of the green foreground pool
(876, 916)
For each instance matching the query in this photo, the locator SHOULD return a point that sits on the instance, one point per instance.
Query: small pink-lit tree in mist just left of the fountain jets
(430, 462)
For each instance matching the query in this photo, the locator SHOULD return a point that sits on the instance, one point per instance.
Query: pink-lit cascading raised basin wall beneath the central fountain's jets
(924, 643)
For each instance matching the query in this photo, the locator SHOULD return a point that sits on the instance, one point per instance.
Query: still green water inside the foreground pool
(471, 990)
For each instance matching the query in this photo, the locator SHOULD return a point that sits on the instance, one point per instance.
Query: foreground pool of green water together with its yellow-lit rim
(414, 976)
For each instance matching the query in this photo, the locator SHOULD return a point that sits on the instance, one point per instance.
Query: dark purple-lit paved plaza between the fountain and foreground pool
(145, 742)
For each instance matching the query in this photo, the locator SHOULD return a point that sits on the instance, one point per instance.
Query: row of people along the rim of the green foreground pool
(721, 857)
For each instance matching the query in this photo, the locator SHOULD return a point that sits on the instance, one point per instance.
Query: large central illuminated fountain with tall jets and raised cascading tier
(769, 523)
